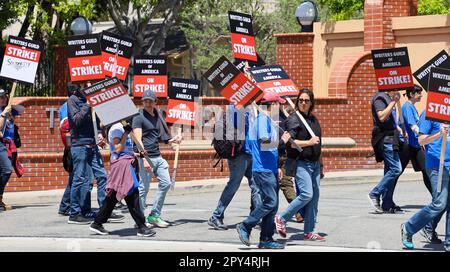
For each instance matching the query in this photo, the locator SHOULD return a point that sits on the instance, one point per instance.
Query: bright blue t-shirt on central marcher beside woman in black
(265, 155)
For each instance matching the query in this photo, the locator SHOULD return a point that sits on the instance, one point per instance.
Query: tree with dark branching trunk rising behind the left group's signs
(132, 17)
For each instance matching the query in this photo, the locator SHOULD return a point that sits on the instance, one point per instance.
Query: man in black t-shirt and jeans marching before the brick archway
(385, 141)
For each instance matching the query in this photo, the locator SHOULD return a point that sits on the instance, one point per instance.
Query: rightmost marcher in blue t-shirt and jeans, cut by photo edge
(431, 134)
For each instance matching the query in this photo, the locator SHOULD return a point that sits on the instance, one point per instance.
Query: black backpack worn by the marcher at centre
(225, 141)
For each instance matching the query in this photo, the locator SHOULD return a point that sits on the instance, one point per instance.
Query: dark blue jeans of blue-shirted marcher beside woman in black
(267, 183)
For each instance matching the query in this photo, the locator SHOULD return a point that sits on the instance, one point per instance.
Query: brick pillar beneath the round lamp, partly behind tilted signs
(295, 54)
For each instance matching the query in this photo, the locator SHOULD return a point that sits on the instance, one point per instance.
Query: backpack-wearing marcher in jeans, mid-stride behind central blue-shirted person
(239, 166)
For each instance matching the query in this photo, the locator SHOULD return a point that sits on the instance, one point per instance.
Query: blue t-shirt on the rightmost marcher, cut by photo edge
(433, 149)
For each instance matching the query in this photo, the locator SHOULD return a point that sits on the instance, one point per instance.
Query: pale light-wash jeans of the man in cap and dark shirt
(161, 171)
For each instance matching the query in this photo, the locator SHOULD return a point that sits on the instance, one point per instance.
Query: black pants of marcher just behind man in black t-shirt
(417, 158)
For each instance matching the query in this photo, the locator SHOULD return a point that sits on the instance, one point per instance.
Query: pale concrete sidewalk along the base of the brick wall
(215, 185)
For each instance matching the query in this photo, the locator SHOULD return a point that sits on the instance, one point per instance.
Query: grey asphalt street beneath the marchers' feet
(345, 218)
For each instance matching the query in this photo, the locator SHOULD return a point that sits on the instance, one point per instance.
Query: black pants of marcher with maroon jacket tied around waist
(133, 206)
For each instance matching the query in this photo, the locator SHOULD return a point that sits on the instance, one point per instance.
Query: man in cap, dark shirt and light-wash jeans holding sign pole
(149, 128)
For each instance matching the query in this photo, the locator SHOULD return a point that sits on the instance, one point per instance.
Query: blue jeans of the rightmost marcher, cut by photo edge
(432, 213)
